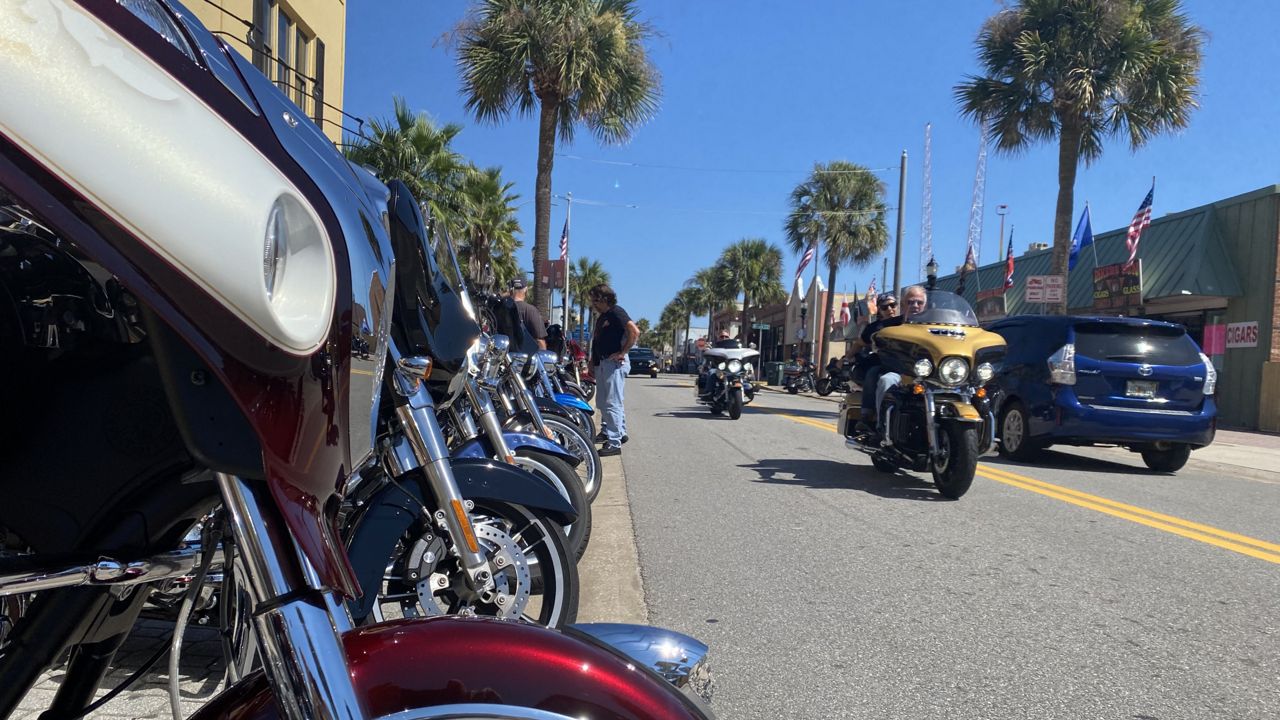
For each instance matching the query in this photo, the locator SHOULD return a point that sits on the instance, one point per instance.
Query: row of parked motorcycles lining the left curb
(248, 385)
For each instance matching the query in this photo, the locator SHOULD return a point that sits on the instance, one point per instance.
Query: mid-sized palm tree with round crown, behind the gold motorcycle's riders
(842, 209)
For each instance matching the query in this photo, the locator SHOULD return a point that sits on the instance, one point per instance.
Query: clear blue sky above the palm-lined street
(757, 92)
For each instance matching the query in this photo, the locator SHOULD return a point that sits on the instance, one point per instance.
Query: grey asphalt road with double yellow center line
(1078, 587)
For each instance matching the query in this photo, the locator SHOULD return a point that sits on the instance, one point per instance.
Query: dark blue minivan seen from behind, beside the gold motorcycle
(1144, 385)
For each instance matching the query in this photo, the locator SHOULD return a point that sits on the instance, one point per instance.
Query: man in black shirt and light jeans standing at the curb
(615, 335)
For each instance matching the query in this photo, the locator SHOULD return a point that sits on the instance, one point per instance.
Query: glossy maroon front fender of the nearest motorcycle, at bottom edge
(415, 664)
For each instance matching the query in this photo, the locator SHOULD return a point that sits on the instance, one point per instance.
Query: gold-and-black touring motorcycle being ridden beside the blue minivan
(939, 418)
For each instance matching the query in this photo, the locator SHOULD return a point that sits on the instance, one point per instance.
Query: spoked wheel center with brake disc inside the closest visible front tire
(442, 589)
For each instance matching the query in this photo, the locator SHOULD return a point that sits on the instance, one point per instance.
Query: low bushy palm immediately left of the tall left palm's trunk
(488, 227)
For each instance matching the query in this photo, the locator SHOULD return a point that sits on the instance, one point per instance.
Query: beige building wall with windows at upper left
(300, 44)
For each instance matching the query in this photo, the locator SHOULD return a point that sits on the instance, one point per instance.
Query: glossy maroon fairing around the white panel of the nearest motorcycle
(298, 407)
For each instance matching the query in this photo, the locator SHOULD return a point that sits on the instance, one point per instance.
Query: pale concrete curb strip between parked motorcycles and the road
(612, 590)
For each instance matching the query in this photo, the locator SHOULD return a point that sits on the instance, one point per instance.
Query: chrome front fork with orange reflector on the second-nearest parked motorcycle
(431, 453)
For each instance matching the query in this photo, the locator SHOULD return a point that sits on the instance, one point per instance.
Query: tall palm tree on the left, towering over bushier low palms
(577, 62)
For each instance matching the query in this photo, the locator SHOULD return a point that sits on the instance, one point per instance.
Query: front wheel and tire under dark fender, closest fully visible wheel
(552, 581)
